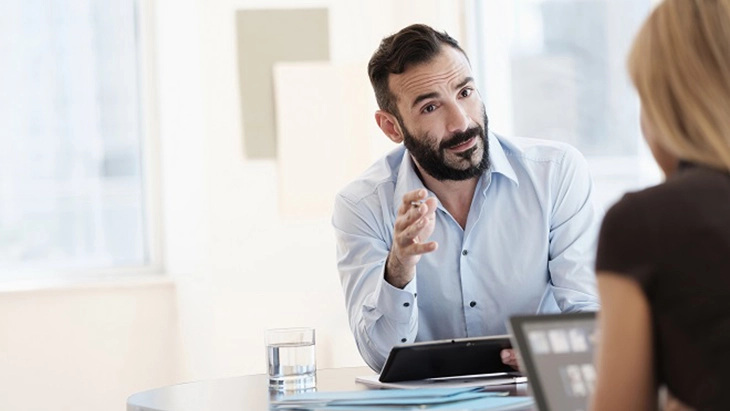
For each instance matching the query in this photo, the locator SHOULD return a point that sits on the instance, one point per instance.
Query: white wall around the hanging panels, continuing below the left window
(236, 267)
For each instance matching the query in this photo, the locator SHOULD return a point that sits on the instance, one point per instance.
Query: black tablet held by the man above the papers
(446, 358)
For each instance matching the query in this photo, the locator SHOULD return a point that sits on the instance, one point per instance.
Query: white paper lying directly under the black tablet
(486, 380)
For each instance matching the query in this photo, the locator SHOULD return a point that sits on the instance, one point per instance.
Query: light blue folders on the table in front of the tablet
(401, 400)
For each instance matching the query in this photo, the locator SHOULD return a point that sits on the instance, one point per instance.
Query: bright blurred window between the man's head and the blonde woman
(556, 69)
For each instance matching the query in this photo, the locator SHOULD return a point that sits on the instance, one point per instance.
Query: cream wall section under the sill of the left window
(86, 348)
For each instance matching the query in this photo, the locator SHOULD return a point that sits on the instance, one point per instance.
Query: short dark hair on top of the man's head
(413, 45)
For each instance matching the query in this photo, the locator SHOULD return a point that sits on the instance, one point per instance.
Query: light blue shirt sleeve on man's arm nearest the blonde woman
(575, 222)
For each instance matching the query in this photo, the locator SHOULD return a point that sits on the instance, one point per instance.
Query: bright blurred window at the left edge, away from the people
(72, 164)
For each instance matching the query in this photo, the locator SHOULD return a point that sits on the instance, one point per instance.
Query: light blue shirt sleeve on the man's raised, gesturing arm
(380, 315)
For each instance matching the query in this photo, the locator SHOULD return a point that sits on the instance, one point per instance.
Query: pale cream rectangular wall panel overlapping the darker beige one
(325, 129)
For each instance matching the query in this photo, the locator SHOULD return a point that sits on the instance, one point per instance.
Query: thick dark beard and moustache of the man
(433, 159)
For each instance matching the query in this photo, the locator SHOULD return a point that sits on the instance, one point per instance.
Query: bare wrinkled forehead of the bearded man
(449, 67)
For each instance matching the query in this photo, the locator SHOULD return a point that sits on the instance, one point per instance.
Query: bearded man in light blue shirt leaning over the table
(452, 234)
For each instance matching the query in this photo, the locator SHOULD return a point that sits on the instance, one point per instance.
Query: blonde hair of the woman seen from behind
(680, 66)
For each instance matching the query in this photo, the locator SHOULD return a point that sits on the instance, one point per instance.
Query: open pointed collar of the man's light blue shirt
(408, 179)
